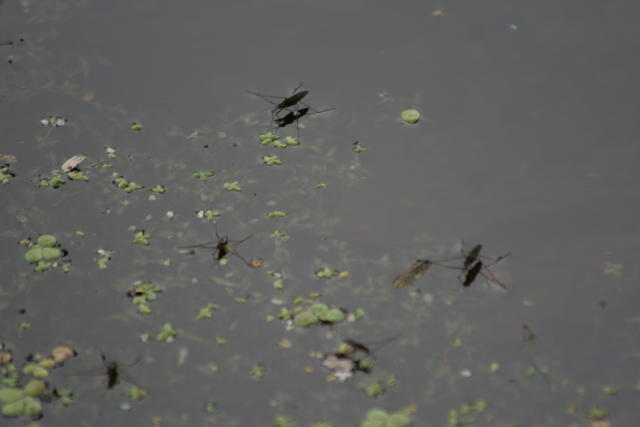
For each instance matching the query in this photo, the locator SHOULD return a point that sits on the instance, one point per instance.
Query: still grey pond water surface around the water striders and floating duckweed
(528, 144)
